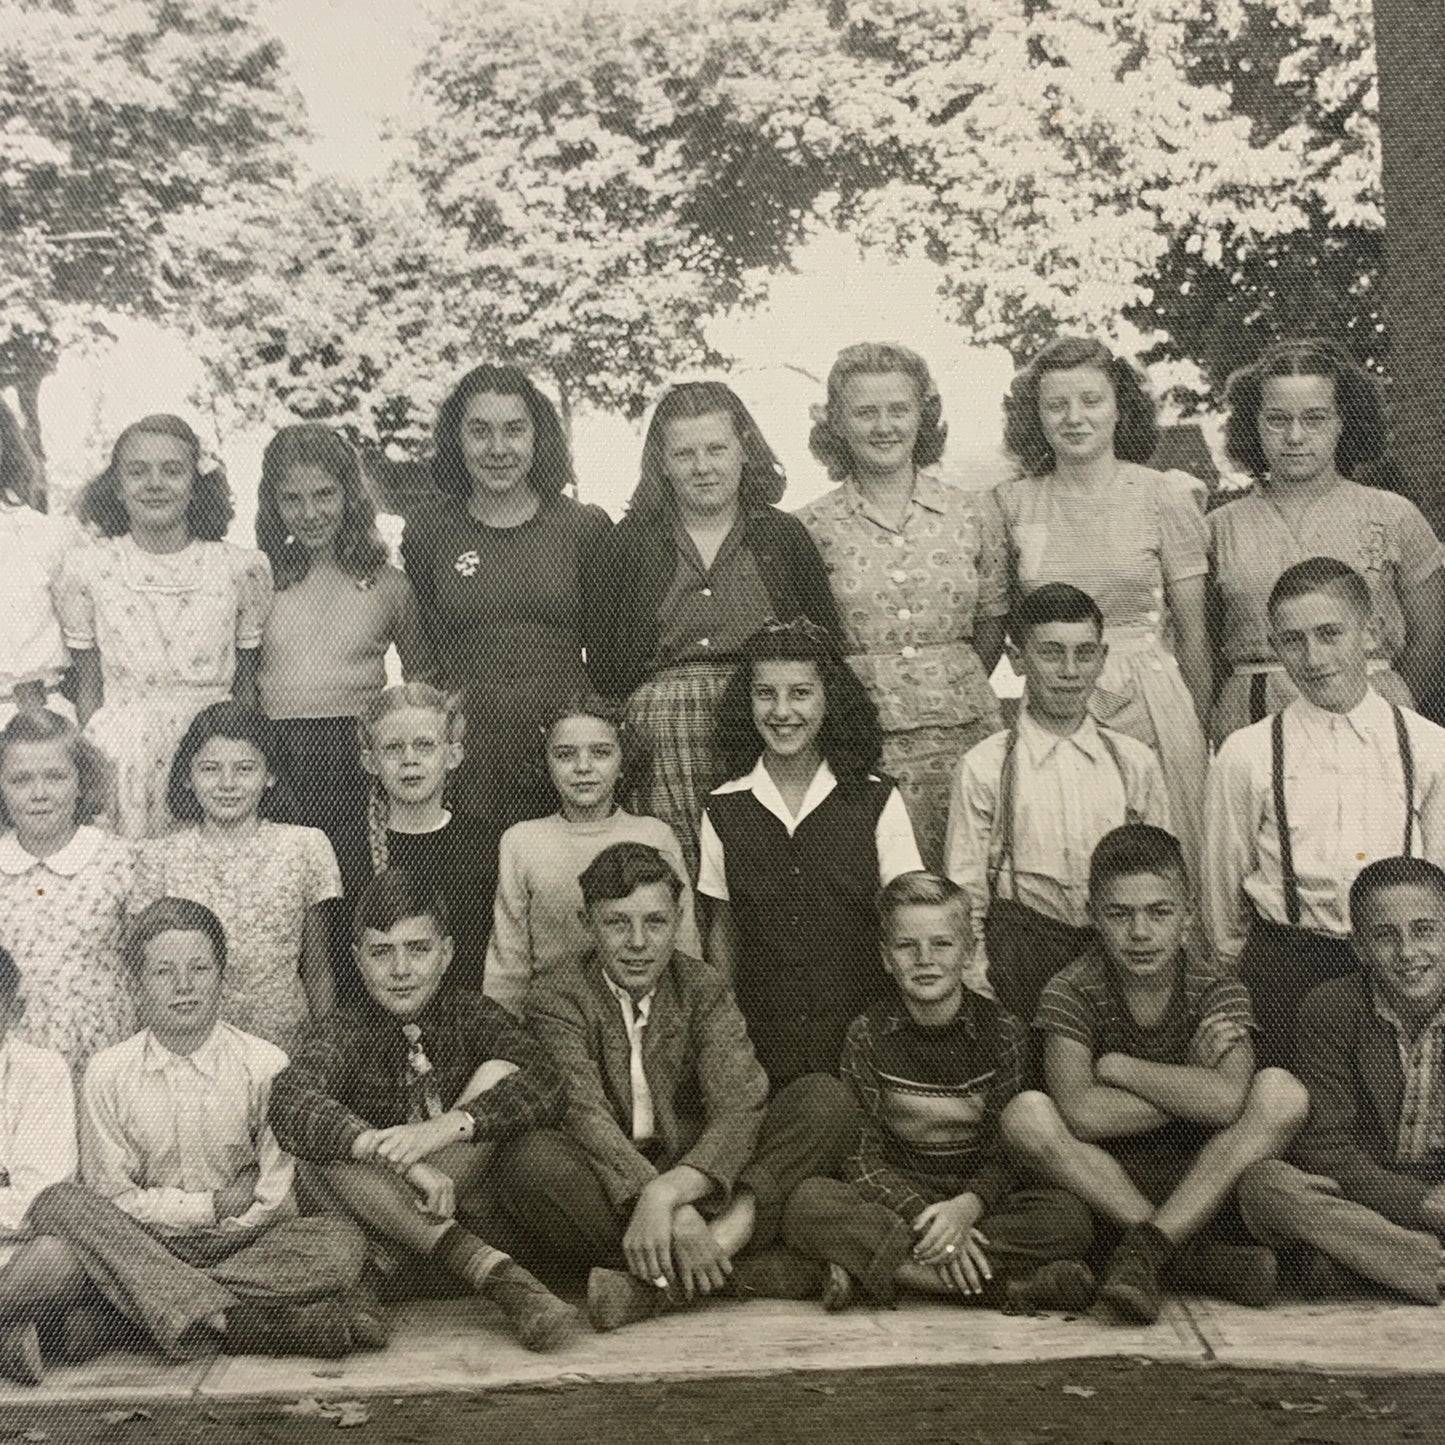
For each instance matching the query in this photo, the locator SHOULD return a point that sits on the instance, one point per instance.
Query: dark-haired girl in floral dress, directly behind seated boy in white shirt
(265, 881)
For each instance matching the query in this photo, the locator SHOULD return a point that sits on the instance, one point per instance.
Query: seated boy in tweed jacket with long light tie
(676, 1168)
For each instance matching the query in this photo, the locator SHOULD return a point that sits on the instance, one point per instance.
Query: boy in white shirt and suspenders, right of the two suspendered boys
(1300, 803)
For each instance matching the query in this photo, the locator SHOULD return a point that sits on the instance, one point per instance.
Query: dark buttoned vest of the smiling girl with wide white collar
(808, 936)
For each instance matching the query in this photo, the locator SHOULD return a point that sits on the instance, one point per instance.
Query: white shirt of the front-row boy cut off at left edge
(37, 1128)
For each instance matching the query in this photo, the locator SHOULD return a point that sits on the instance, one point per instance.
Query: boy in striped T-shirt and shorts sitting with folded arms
(1154, 1109)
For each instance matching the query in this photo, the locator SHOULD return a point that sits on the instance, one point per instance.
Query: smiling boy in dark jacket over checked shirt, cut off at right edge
(1366, 1190)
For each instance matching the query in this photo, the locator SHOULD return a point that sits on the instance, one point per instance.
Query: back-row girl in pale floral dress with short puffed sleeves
(163, 616)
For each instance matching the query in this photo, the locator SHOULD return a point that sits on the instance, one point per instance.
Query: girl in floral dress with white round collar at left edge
(63, 888)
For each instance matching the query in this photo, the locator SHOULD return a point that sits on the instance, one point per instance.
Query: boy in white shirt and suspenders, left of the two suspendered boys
(1031, 803)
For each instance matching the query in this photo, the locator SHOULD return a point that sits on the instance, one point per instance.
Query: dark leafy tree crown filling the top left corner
(115, 116)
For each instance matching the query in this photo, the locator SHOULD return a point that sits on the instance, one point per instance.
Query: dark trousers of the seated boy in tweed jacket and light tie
(573, 1225)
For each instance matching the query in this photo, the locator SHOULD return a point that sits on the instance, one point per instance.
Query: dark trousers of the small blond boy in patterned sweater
(832, 1222)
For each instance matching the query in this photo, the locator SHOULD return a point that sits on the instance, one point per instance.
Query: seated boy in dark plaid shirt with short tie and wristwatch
(400, 1103)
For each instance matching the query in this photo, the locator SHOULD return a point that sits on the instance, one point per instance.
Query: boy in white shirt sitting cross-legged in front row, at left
(186, 1223)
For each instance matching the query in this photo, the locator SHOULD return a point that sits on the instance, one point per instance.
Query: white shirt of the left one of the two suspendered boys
(1069, 793)
